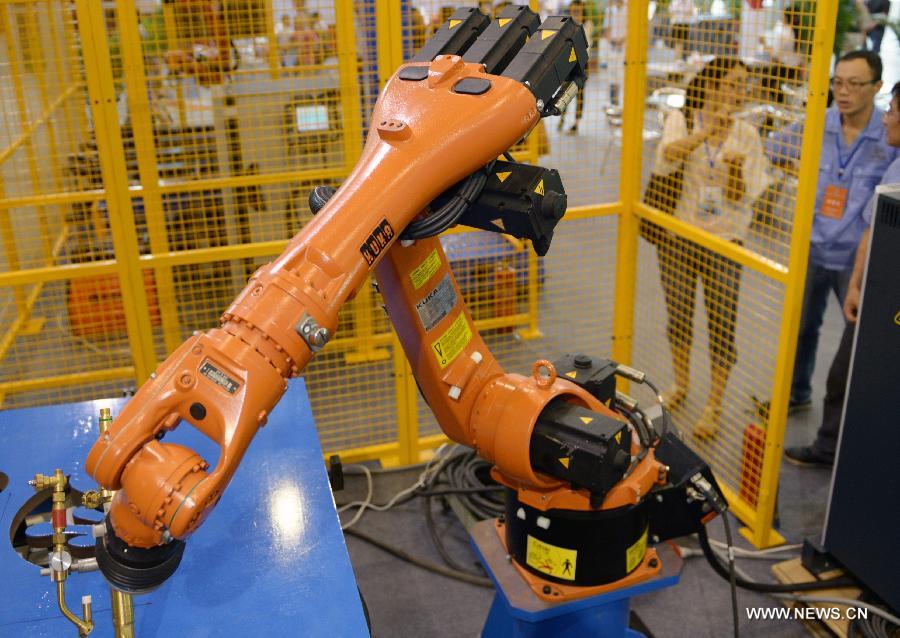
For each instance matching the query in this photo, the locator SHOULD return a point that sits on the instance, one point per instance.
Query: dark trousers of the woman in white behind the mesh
(681, 263)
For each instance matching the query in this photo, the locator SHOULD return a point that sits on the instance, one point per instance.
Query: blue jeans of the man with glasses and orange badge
(819, 281)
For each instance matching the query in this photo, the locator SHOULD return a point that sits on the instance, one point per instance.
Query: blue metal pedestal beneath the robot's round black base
(517, 612)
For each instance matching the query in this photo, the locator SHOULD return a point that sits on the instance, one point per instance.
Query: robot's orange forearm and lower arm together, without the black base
(438, 121)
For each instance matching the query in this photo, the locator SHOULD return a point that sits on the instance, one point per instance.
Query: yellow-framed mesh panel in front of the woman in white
(709, 295)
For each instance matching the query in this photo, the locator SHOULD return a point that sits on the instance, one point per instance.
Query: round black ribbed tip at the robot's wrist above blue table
(135, 570)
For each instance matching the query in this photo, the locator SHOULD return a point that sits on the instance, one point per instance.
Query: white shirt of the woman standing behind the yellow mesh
(703, 183)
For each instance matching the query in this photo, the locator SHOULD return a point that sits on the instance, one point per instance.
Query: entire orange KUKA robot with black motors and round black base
(590, 478)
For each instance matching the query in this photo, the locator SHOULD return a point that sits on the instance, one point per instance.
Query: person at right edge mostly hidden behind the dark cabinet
(821, 452)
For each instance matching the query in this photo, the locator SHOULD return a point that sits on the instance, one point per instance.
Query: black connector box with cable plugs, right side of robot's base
(692, 497)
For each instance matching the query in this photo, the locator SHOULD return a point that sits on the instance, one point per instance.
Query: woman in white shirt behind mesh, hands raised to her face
(723, 168)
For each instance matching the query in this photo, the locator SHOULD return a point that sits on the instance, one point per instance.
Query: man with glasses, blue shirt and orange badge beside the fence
(853, 160)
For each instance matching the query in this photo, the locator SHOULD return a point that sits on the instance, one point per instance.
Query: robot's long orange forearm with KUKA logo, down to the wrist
(431, 129)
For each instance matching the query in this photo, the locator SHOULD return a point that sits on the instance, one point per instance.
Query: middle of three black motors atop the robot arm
(503, 38)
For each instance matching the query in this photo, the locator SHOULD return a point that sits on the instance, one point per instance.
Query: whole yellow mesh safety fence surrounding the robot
(153, 155)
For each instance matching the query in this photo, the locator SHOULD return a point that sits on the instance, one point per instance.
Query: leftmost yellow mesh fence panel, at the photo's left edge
(60, 338)
